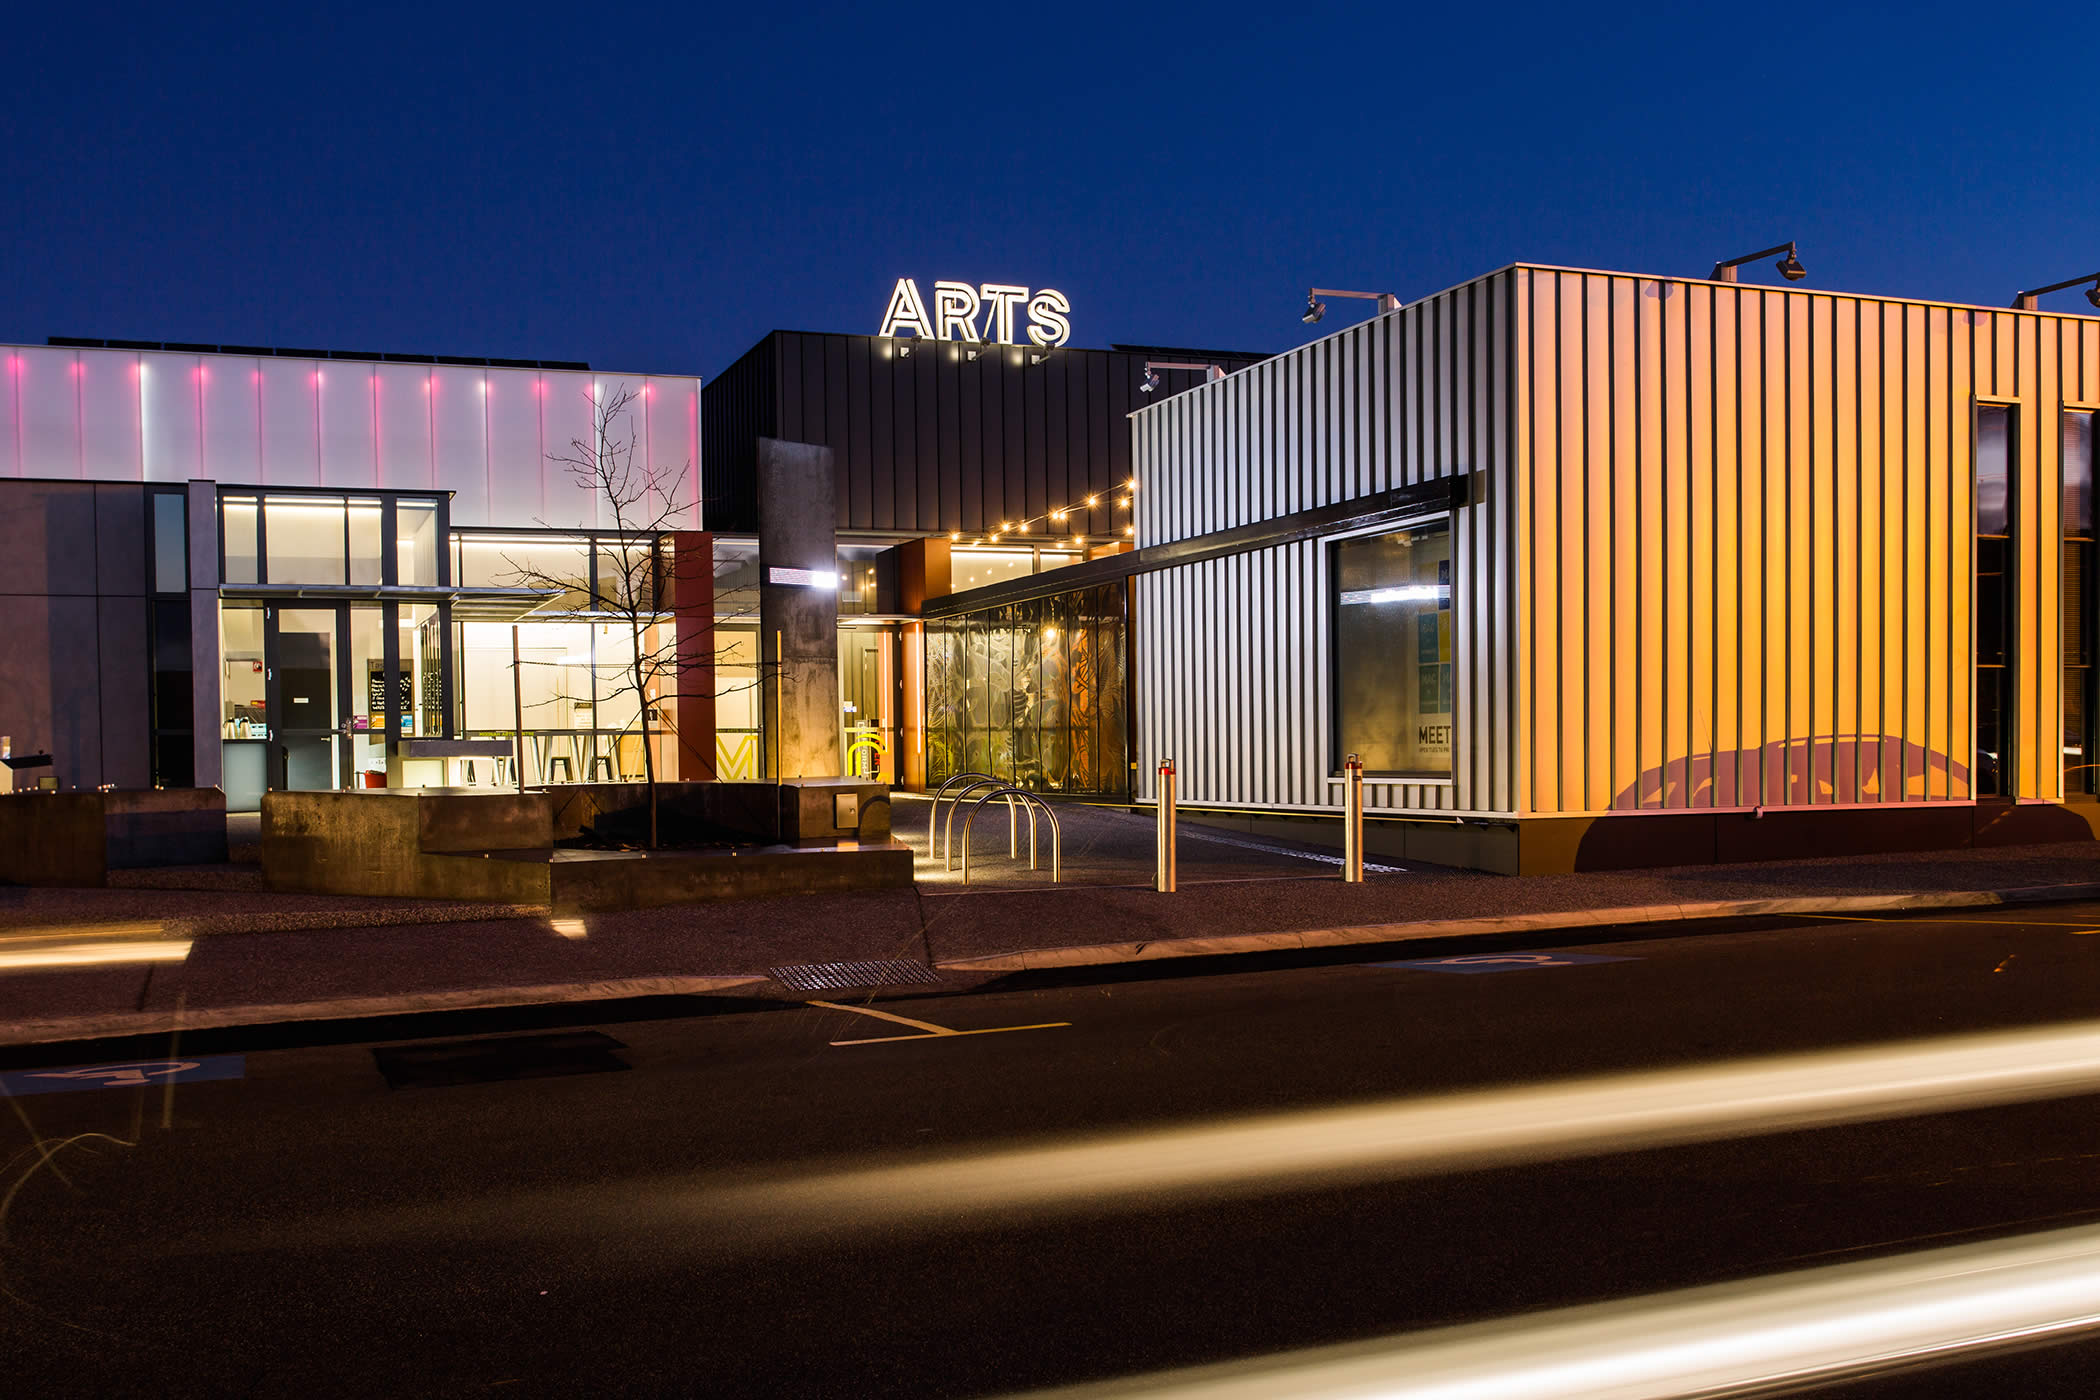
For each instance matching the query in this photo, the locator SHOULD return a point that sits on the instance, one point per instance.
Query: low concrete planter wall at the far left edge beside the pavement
(77, 839)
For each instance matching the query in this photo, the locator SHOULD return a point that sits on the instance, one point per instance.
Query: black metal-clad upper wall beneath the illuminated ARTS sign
(936, 440)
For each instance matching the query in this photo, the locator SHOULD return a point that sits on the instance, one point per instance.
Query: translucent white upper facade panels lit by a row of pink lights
(480, 433)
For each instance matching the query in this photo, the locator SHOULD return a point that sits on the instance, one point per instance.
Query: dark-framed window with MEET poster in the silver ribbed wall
(1393, 652)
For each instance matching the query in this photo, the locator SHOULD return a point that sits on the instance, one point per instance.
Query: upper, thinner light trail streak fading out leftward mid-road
(1423, 1137)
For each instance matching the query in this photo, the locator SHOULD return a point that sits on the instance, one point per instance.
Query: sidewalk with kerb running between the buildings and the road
(81, 964)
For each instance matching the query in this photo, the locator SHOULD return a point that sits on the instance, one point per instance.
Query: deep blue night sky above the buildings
(658, 190)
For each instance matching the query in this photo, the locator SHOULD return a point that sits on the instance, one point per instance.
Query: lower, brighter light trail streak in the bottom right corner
(1727, 1340)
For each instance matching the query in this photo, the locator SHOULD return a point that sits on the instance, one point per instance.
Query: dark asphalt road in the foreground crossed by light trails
(736, 1204)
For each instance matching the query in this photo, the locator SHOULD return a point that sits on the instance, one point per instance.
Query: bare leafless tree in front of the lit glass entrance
(644, 505)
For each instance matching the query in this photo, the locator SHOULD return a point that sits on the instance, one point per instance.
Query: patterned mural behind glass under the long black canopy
(1032, 694)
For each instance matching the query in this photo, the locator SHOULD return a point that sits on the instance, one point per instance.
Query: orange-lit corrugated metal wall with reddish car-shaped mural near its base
(1748, 543)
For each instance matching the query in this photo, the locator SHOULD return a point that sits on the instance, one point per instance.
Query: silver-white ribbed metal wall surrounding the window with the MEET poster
(1232, 654)
